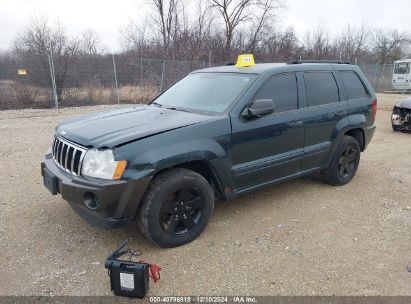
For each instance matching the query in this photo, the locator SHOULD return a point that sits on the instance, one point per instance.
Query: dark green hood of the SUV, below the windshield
(115, 127)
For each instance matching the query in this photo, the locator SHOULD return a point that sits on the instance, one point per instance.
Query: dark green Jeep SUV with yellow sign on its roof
(217, 133)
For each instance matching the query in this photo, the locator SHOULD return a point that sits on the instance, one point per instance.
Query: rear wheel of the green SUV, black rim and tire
(344, 163)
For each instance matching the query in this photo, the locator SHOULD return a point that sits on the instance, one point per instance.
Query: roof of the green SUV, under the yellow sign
(264, 67)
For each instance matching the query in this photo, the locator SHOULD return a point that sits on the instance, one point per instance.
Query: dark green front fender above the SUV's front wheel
(203, 142)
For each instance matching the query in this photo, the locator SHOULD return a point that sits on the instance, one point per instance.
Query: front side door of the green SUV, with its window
(270, 147)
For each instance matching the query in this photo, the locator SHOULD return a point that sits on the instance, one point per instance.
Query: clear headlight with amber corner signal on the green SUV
(101, 164)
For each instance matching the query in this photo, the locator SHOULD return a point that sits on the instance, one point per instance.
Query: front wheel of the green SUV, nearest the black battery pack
(176, 208)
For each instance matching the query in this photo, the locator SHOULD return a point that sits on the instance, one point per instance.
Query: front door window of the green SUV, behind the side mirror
(282, 89)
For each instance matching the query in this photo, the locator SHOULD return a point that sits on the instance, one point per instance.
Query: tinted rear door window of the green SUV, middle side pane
(321, 88)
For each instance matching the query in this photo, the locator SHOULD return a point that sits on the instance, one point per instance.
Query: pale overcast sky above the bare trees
(107, 17)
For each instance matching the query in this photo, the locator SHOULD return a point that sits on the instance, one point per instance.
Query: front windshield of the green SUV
(212, 92)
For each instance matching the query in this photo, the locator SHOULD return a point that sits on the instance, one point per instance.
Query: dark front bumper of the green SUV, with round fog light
(115, 202)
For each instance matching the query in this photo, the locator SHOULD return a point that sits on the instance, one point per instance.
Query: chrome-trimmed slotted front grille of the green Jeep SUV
(68, 156)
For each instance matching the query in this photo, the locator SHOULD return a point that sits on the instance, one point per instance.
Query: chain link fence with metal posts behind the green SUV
(59, 81)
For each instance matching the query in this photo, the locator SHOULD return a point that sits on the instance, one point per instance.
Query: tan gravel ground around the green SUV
(299, 238)
